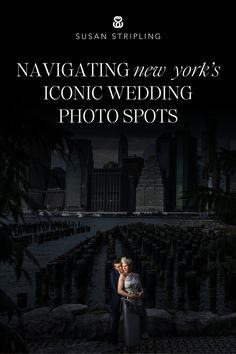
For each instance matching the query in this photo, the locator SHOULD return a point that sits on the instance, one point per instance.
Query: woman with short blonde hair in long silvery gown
(129, 286)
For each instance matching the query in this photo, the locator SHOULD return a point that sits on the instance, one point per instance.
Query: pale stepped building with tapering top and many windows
(150, 189)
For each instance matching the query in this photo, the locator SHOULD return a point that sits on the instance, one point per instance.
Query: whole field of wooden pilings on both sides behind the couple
(171, 255)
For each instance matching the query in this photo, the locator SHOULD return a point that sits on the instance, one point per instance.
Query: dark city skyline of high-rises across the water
(182, 162)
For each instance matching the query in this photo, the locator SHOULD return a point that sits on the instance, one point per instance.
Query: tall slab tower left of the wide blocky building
(79, 176)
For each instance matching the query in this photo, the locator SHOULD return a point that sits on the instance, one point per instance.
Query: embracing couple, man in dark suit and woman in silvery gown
(126, 299)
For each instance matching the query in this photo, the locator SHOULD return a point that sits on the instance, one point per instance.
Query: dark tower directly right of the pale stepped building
(166, 152)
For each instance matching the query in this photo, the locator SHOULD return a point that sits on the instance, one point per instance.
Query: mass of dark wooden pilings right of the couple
(180, 257)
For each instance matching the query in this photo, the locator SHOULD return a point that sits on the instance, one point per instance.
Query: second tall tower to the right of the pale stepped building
(186, 166)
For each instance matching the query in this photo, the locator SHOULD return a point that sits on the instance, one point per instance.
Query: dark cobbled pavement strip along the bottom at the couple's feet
(176, 345)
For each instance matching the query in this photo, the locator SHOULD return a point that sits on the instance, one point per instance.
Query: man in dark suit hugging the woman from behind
(115, 299)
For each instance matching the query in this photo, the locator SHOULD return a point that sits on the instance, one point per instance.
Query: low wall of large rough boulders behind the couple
(79, 321)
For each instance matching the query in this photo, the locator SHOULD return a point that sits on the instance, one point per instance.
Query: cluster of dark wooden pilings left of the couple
(65, 279)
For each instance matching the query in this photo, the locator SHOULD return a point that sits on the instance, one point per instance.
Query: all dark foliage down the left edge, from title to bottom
(18, 134)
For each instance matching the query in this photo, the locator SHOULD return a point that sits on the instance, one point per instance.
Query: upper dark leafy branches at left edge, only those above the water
(17, 137)
